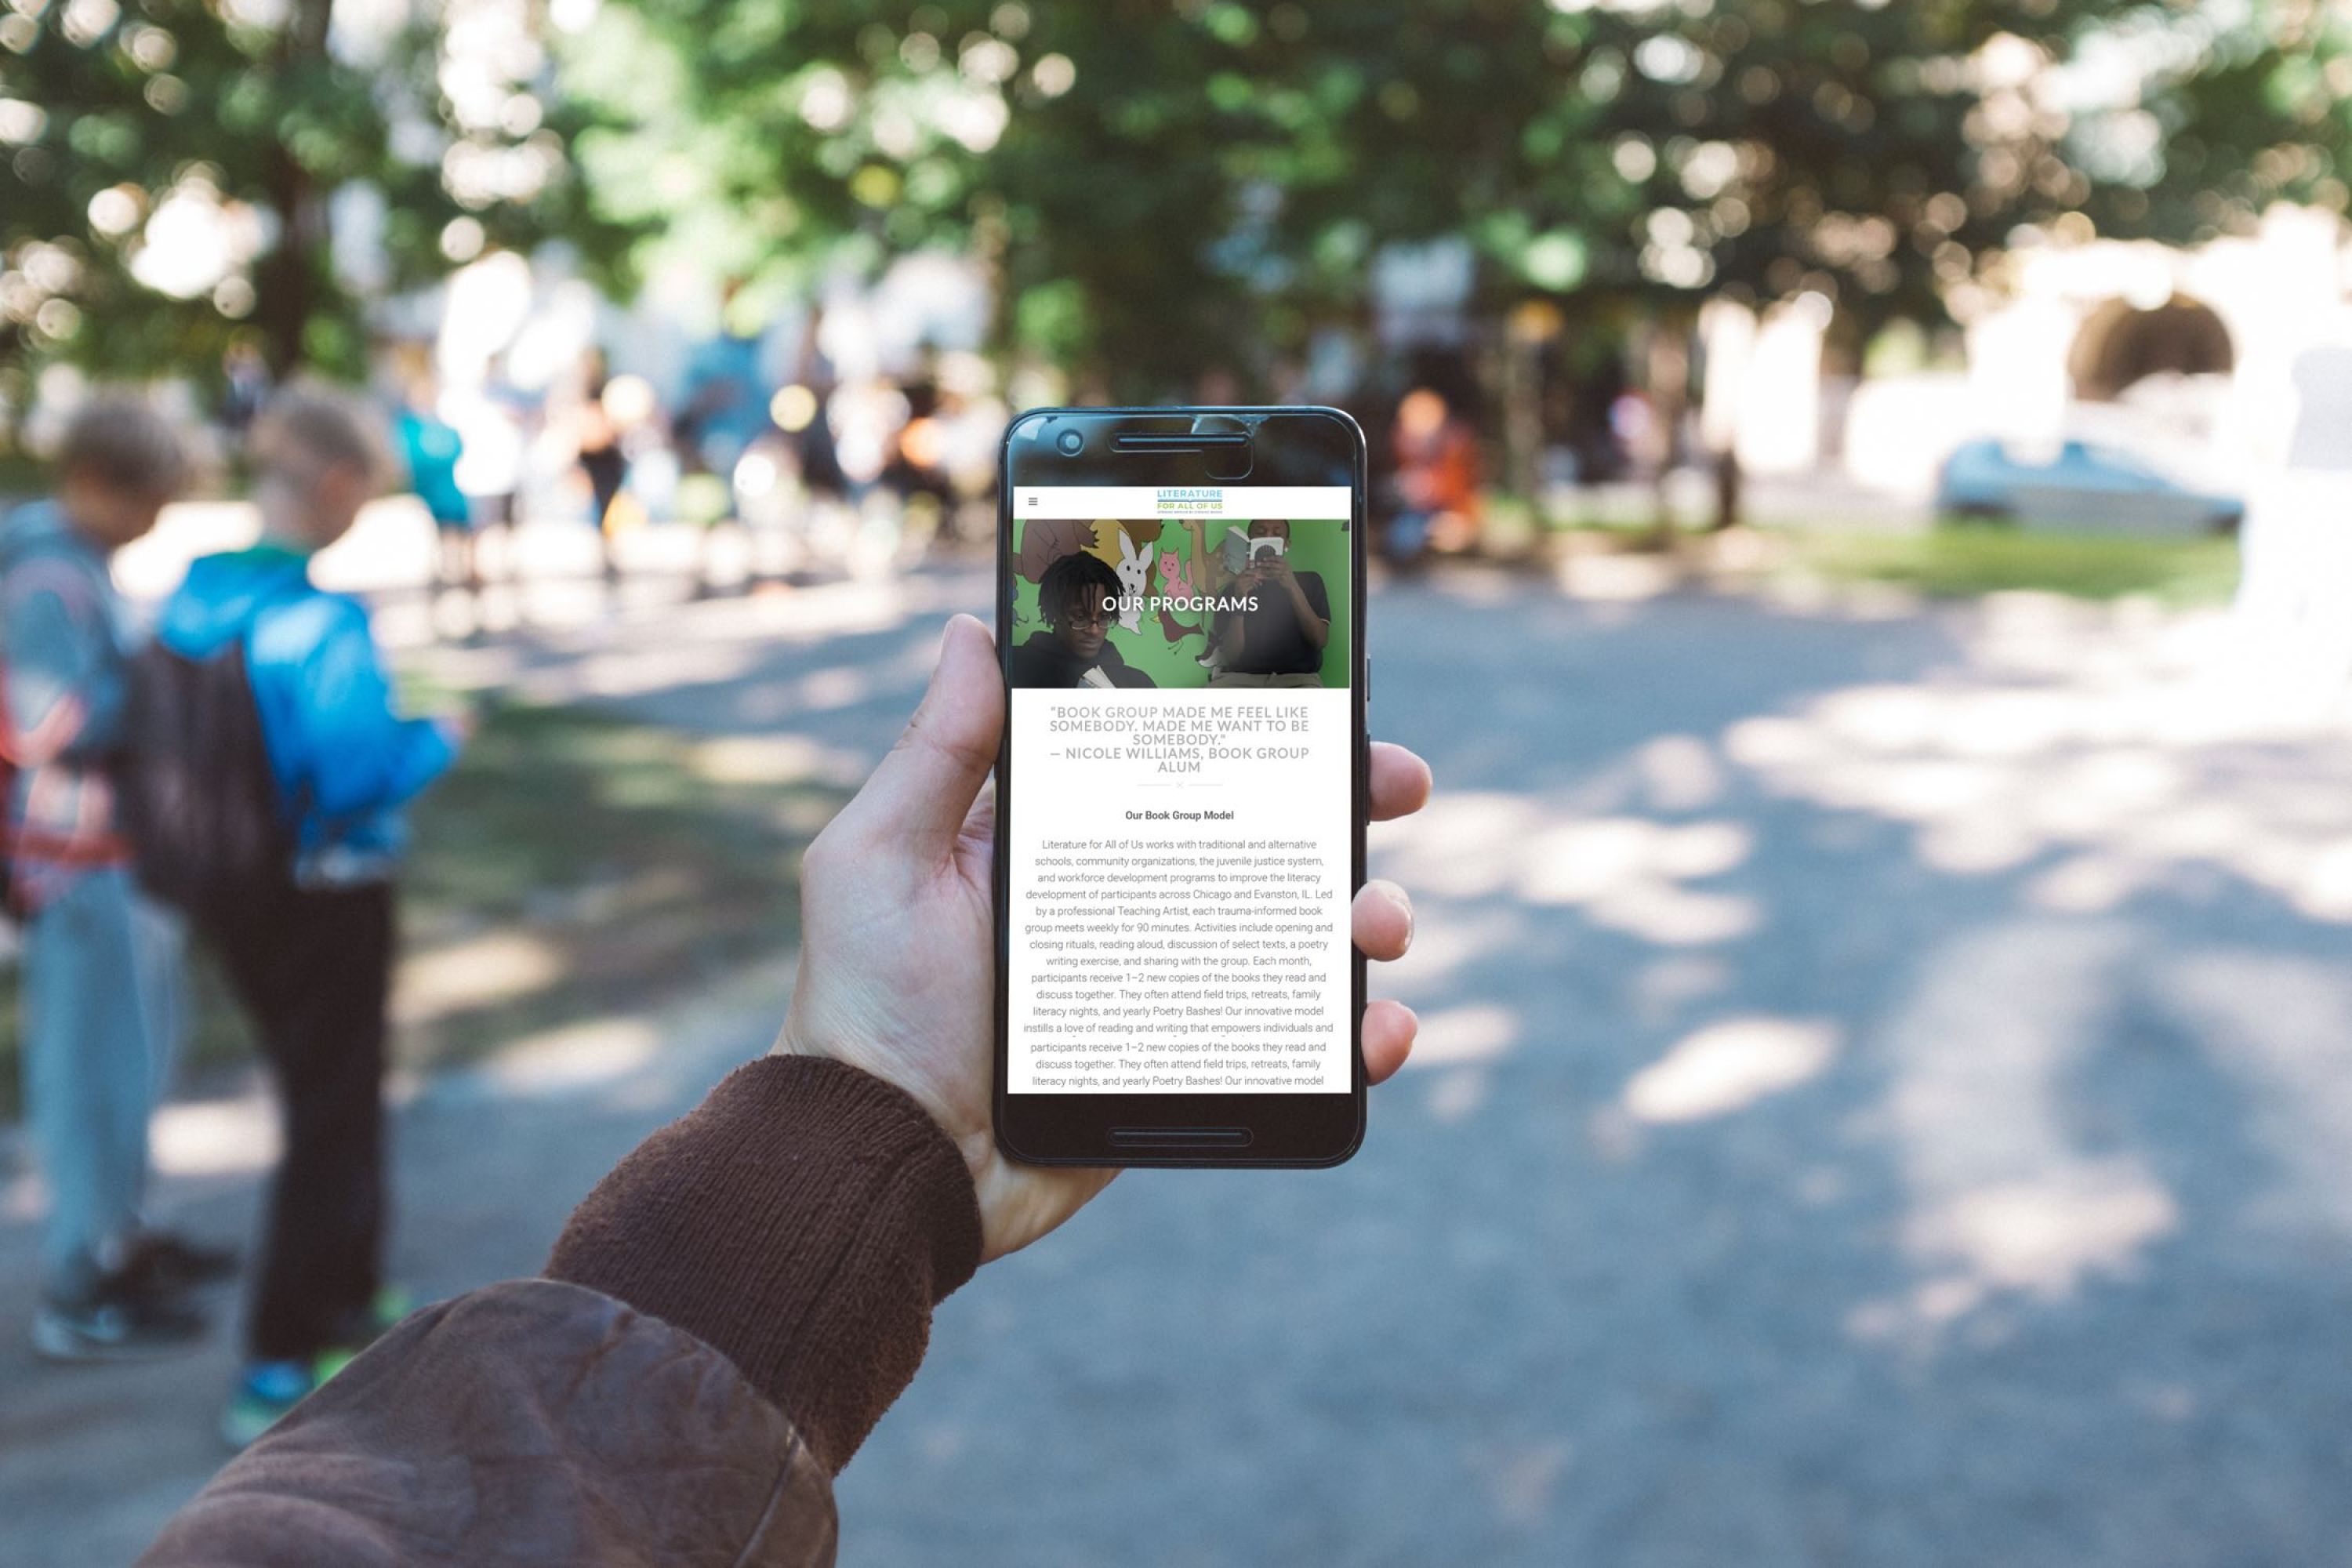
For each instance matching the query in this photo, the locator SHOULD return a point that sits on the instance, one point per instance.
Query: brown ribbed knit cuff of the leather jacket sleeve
(803, 1221)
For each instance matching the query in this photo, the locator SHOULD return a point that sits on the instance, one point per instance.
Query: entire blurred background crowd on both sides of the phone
(824, 474)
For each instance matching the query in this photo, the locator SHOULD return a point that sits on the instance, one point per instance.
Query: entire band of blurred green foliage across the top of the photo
(1156, 187)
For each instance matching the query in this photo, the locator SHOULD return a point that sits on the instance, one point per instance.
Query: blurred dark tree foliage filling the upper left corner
(185, 173)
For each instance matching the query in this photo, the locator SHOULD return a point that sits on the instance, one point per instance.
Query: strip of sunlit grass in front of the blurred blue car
(1963, 561)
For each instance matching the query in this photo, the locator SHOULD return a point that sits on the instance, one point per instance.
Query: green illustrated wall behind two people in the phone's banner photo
(1170, 648)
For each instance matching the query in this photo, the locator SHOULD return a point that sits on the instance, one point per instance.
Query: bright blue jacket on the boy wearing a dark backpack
(342, 756)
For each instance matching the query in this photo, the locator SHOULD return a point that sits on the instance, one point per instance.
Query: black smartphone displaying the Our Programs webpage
(1182, 789)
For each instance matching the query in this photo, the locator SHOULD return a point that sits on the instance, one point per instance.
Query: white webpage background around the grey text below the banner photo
(1295, 798)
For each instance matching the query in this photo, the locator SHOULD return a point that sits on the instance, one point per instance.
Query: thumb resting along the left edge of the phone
(926, 786)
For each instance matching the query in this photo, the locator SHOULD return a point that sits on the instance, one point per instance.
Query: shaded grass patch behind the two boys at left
(568, 869)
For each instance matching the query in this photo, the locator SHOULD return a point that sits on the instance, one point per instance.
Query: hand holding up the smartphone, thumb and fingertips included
(897, 963)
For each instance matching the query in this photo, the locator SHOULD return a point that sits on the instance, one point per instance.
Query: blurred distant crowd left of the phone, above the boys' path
(815, 474)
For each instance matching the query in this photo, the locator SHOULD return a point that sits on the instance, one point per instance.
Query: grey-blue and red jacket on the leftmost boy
(65, 645)
